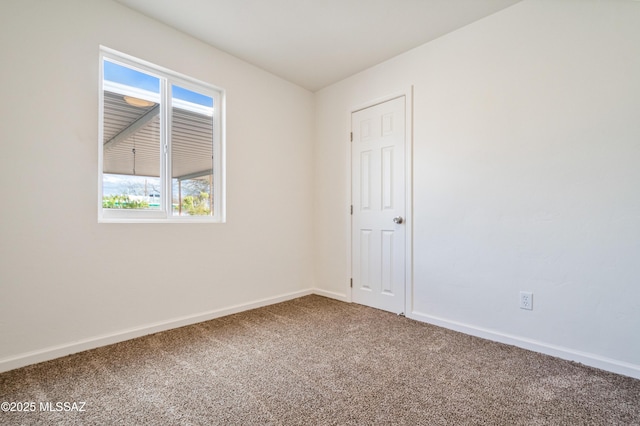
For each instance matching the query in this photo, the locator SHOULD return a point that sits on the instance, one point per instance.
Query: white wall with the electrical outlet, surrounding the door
(526, 177)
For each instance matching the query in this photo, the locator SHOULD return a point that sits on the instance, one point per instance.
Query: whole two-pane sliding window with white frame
(161, 142)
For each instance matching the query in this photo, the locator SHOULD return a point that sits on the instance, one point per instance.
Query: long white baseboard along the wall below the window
(58, 351)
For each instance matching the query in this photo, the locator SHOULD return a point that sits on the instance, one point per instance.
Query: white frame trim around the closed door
(408, 218)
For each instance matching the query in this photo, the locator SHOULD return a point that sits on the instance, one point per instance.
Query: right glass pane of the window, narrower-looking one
(191, 153)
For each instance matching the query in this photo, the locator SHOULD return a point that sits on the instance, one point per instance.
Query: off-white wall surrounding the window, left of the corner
(67, 282)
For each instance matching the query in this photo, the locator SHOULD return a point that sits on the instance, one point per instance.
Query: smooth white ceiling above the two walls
(315, 43)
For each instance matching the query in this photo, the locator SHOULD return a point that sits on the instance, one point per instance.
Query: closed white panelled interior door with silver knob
(378, 202)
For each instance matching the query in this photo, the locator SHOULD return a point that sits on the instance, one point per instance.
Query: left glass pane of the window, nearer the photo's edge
(131, 144)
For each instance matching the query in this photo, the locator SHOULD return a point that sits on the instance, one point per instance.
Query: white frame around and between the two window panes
(167, 79)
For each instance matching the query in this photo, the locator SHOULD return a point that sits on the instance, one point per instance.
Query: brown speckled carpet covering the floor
(316, 361)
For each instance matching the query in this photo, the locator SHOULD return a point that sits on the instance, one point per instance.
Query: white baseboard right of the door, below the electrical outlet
(592, 360)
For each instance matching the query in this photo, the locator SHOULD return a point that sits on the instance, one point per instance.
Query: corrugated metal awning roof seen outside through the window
(128, 127)
